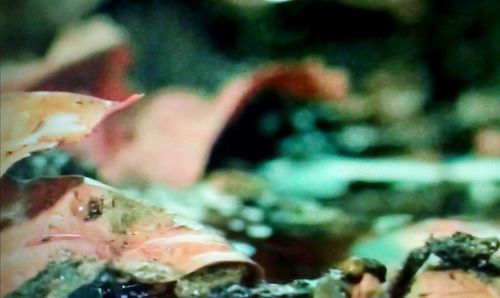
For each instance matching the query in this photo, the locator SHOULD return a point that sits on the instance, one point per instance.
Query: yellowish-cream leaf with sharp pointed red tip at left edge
(41, 120)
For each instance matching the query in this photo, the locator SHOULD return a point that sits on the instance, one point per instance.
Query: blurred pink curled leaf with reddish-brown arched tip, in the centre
(169, 140)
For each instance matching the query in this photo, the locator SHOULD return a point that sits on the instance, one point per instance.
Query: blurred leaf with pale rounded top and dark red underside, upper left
(90, 57)
